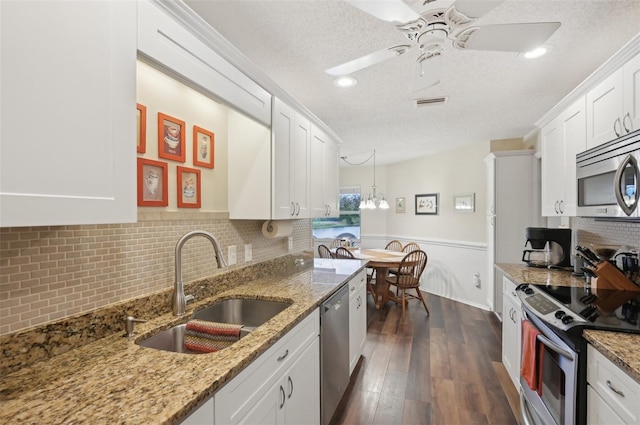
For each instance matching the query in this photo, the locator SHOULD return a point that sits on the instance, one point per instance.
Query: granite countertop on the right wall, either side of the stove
(623, 349)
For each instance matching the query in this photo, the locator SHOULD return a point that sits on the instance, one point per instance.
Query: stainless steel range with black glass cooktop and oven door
(560, 314)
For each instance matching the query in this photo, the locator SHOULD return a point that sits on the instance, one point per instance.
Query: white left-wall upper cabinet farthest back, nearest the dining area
(324, 191)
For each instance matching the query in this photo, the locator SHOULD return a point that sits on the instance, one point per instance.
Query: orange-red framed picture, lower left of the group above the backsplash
(152, 183)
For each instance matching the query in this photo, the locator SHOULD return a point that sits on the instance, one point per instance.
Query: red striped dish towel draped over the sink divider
(206, 337)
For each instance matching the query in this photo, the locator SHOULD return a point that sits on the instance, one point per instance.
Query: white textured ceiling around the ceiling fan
(491, 95)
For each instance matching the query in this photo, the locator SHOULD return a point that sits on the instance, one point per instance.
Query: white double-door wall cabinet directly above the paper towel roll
(291, 155)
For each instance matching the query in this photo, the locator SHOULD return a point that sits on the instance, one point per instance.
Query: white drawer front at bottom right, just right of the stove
(615, 387)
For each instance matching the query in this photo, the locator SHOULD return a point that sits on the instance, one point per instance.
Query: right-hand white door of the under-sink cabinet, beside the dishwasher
(302, 388)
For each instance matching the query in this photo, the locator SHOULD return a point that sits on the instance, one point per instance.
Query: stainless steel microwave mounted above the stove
(609, 179)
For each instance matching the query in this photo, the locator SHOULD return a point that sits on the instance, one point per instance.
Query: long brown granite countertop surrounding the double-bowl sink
(114, 380)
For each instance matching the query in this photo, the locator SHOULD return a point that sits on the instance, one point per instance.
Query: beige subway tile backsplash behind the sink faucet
(49, 273)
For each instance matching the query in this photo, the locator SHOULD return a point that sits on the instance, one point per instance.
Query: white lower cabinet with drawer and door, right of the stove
(613, 397)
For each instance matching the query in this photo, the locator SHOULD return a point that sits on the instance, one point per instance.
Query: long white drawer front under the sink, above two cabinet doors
(238, 396)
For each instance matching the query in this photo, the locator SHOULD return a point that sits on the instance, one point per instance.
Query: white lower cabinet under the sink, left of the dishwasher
(280, 387)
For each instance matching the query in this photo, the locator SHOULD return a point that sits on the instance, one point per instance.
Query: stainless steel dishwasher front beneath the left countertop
(334, 351)
